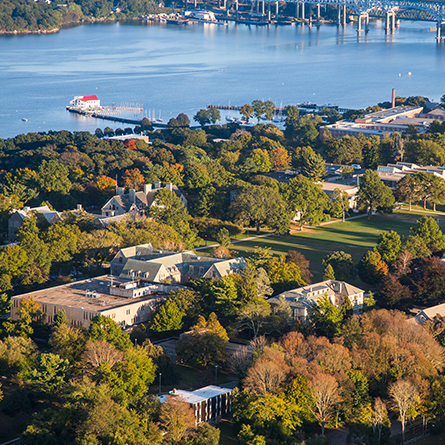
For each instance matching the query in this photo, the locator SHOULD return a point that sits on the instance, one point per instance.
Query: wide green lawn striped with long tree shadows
(354, 237)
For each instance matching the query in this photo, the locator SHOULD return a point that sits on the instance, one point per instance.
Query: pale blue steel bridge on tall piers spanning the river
(390, 9)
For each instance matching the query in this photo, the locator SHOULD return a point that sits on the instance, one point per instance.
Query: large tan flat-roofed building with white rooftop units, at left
(125, 301)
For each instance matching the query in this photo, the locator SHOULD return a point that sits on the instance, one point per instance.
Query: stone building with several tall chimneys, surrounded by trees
(135, 203)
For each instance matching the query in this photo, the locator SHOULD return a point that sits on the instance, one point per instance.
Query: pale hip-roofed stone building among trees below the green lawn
(302, 299)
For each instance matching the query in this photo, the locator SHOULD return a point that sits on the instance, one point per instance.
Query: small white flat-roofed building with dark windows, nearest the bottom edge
(209, 403)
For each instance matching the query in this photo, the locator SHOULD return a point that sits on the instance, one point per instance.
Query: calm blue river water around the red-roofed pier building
(173, 69)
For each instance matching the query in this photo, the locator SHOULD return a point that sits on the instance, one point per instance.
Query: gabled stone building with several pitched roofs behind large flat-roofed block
(157, 266)
